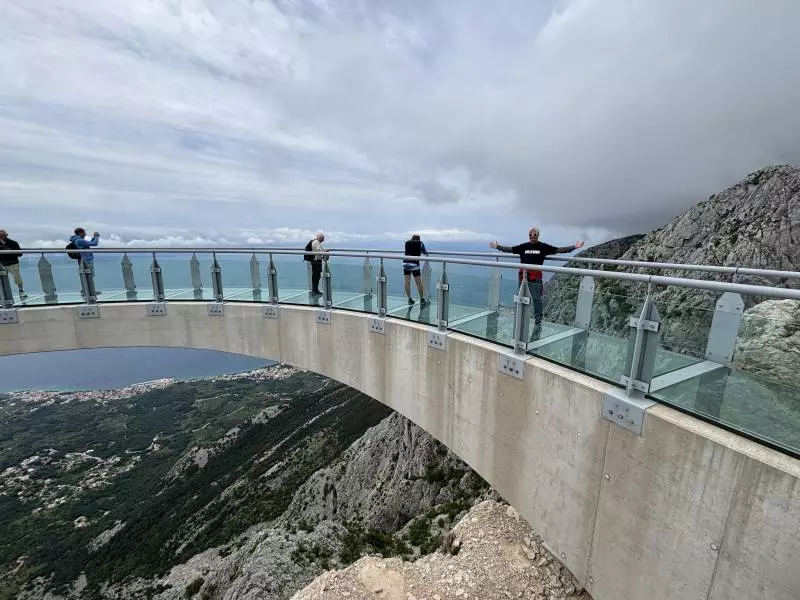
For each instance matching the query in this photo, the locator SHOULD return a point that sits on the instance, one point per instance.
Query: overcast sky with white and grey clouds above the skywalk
(249, 121)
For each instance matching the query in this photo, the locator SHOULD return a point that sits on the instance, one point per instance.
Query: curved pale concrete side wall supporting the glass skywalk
(687, 511)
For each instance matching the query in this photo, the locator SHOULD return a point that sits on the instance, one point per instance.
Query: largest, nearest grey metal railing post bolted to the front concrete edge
(642, 348)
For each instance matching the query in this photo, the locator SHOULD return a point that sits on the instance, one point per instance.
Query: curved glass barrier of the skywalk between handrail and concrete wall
(701, 376)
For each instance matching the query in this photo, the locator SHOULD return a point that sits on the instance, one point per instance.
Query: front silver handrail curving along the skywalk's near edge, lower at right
(717, 286)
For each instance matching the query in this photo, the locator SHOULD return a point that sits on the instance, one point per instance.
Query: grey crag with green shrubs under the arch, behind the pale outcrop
(368, 500)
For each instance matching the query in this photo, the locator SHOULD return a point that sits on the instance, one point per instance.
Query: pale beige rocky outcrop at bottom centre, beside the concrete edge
(491, 554)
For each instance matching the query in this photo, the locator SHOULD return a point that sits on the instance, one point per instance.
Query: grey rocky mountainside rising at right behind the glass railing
(755, 223)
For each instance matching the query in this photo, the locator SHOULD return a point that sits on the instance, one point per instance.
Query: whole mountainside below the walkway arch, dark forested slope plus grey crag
(244, 486)
